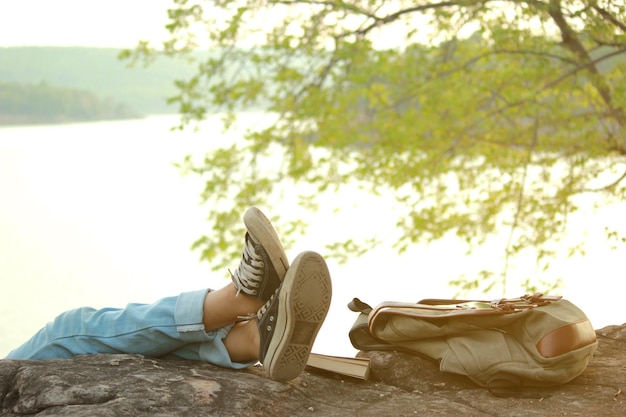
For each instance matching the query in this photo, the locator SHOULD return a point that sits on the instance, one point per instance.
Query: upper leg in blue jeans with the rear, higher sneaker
(200, 317)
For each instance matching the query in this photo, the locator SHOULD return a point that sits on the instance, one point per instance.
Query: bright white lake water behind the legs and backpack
(96, 214)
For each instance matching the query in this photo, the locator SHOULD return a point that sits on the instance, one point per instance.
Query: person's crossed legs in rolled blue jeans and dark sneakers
(282, 316)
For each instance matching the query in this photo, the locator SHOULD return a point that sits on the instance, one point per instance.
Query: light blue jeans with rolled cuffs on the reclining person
(169, 327)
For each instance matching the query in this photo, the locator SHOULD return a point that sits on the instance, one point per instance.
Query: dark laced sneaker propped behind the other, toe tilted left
(263, 261)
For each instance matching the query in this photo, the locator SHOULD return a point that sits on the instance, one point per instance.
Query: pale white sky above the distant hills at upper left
(111, 23)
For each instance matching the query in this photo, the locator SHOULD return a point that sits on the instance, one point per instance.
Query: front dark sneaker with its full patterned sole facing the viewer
(291, 319)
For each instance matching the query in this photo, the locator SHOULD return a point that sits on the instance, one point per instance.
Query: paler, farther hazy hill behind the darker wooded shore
(97, 71)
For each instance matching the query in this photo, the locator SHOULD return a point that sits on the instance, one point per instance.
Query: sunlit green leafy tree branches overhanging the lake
(475, 115)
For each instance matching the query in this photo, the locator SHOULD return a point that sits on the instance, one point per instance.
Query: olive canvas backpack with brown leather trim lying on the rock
(531, 341)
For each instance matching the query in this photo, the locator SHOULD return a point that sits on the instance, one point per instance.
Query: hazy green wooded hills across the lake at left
(69, 84)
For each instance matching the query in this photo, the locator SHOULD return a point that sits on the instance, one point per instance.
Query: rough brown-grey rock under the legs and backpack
(400, 385)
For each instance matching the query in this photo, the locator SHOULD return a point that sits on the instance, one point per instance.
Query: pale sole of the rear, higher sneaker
(262, 231)
